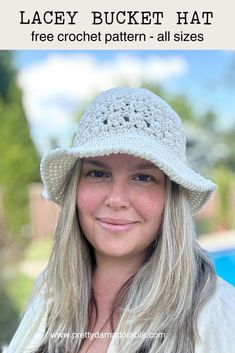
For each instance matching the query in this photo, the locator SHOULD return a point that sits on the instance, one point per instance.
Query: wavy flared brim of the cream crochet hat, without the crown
(57, 164)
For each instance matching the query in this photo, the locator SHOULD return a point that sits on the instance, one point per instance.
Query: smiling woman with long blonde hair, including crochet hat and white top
(126, 273)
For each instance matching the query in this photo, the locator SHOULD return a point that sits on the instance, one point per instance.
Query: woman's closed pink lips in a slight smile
(116, 225)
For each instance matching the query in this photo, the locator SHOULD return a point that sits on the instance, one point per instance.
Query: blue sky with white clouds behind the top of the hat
(56, 85)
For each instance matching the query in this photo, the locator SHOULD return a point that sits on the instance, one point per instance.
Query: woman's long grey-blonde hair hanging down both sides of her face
(160, 303)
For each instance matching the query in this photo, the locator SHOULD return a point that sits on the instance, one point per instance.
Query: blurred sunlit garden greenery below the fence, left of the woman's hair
(16, 283)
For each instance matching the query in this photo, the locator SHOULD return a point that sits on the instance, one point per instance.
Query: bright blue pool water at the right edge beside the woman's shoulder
(224, 262)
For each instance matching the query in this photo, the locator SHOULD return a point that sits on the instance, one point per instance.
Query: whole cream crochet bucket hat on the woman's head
(133, 121)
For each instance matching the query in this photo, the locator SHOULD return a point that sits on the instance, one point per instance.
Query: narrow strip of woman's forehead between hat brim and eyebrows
(120, 159)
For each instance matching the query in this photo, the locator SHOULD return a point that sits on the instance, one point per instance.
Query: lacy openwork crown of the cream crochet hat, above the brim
(130, 110)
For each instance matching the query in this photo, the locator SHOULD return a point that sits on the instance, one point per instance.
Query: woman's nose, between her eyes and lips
(118, 196)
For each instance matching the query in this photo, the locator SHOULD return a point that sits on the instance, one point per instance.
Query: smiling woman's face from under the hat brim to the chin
(120, 202)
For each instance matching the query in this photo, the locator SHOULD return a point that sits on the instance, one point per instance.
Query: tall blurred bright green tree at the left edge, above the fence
(18, 159)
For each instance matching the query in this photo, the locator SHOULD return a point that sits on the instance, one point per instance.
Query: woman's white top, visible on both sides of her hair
(216, 324)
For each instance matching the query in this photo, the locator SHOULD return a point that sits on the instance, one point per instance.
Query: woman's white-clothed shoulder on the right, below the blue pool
(216, 323)
